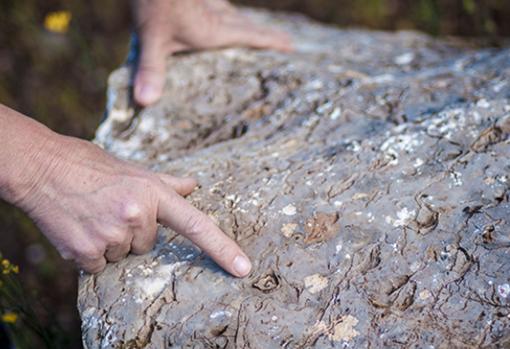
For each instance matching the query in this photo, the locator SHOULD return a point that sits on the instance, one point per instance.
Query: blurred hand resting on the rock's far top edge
(165, 27)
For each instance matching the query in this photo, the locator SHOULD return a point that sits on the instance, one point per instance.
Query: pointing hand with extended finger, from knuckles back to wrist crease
(95, 208)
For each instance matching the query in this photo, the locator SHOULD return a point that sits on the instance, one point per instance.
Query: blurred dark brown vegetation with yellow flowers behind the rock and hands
(55, 57)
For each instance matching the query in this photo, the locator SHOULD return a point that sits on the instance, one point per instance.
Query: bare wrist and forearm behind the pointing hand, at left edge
(26, 151)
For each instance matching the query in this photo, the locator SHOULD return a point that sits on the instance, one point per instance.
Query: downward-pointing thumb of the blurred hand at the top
(150, 73)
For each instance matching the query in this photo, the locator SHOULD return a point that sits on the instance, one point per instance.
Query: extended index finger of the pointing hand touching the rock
(177, 213)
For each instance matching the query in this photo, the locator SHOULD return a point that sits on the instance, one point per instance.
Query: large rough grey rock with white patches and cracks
(366, 175)
